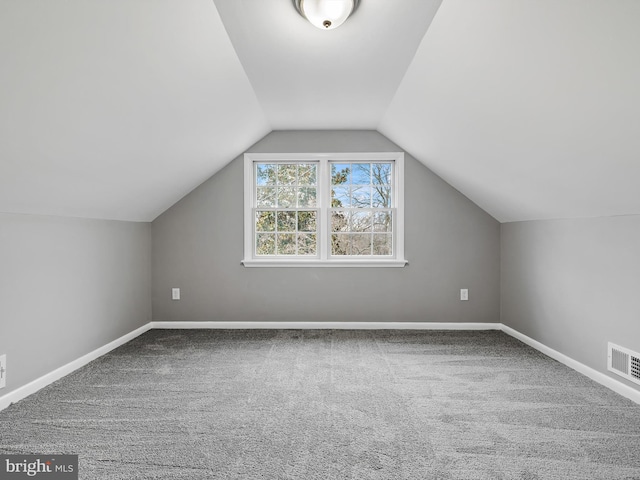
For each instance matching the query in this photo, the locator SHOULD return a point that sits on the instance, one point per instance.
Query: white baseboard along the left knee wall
(58, 373)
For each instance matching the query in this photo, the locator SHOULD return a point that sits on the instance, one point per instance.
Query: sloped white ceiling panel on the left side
(116, 109)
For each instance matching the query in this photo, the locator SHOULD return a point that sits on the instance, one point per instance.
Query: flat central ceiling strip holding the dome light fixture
(307, 78)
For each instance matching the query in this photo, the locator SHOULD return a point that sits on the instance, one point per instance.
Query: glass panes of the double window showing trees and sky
(360, 210)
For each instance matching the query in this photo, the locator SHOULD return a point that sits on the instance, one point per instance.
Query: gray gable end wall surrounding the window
(450, 244)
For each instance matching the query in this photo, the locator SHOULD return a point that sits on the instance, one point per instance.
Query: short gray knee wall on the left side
(67, 287)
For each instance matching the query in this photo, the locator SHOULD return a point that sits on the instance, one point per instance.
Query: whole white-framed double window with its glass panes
(324, 210)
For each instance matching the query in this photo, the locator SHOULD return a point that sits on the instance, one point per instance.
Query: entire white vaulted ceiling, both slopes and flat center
(118, 109)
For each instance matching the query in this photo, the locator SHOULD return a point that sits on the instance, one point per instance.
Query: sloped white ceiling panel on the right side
(531, 108)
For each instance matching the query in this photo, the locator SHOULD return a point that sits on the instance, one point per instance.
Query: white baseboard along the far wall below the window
(328, 325)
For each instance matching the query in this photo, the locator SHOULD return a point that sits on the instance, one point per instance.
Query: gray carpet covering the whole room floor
(333, 404)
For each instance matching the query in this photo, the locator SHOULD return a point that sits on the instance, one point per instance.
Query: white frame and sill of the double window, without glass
(324, 258)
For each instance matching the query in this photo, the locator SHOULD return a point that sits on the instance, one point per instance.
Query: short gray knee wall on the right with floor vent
(574, 285)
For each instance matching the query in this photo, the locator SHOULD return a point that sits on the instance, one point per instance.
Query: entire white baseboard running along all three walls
(51, 377)
